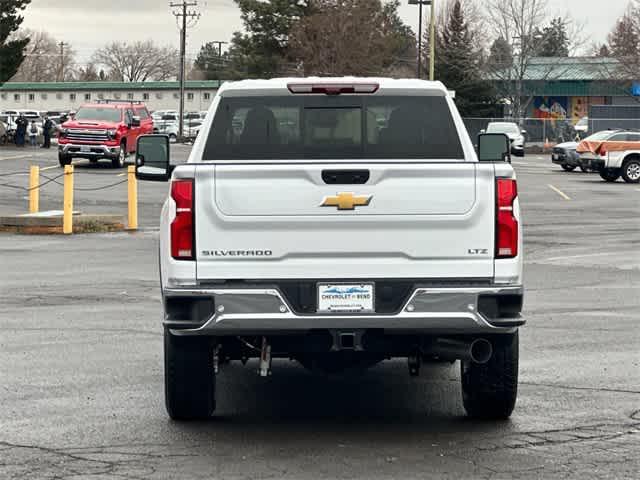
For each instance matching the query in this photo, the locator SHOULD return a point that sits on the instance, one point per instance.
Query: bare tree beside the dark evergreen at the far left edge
(45, 60)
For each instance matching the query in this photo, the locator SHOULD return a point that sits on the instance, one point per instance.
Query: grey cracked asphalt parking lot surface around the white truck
(81, 357)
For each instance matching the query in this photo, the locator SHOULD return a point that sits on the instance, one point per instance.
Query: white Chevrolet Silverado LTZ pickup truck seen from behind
(338, 222)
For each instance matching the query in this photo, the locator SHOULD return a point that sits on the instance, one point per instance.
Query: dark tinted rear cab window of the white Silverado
(390, 127)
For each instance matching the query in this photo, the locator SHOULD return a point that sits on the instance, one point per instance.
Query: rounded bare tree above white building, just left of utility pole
(138, 62)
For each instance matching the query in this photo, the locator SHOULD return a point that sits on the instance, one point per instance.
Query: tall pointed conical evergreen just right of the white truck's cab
(458, 66)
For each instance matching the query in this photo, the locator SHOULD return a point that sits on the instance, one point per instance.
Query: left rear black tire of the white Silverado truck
(189, 378)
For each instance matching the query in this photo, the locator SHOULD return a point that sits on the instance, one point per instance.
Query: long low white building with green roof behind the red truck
(70, 95)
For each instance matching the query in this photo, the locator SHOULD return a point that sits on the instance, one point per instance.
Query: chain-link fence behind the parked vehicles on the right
(547, 131)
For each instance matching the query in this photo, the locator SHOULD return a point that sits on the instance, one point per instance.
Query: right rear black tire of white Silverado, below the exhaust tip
(489, 390)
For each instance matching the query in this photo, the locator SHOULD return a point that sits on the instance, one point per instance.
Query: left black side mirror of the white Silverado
(153, 158)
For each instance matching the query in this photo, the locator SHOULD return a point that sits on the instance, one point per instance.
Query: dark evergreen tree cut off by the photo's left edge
(11, 51)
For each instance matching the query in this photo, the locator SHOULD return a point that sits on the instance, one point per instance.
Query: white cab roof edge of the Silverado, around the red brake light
(384, 83)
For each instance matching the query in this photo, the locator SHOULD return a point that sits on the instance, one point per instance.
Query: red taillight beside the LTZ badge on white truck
(506, 223)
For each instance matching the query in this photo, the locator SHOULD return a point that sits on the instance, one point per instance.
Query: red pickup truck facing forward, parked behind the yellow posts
(107, 129)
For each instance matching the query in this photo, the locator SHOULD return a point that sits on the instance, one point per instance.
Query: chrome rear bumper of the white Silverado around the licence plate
(428, 310)
